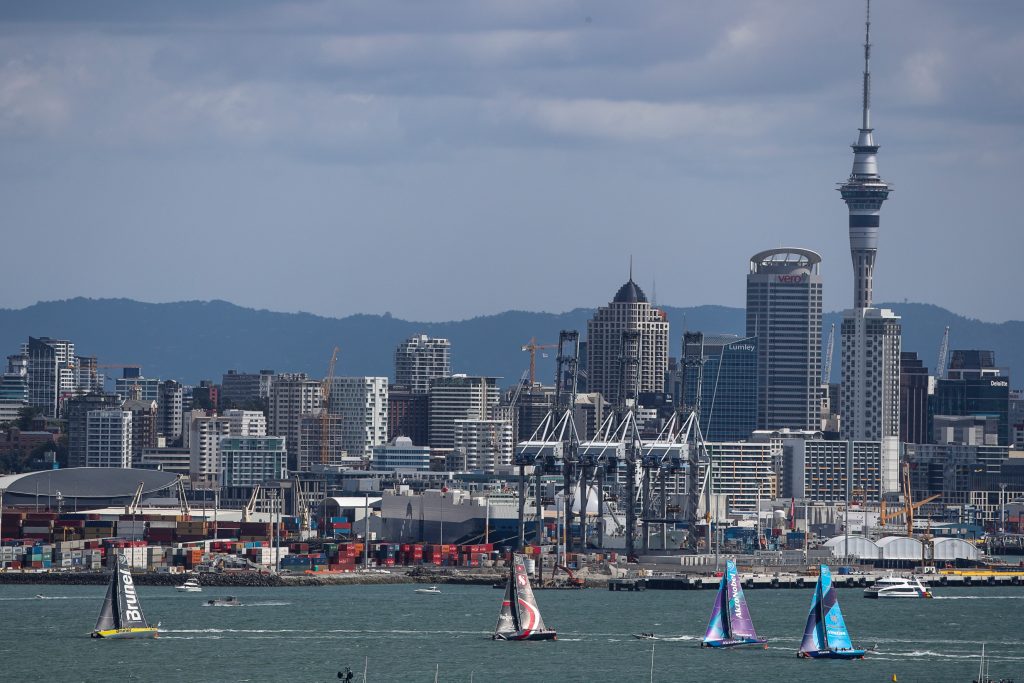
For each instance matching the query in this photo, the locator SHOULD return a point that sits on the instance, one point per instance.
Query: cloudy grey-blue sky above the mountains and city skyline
(445, 160)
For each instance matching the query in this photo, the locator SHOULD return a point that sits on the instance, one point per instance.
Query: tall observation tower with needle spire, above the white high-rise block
(865, 191)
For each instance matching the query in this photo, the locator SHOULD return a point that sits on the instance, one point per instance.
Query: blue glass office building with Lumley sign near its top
(726, 368)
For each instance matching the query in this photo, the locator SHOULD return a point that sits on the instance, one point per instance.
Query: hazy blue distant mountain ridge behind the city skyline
(194, 340)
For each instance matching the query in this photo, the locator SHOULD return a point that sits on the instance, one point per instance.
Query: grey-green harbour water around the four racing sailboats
(309, 634)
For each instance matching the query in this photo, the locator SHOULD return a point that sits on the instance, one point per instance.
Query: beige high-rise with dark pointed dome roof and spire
(627, 346)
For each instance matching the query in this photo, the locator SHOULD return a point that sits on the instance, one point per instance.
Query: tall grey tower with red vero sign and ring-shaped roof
(784, 312)
